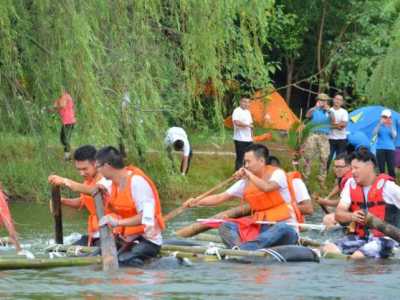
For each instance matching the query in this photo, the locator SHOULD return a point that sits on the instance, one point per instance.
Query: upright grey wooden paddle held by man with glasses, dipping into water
(107, 241)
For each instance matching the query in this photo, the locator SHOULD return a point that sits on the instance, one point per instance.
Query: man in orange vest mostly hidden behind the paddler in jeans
(301, 200)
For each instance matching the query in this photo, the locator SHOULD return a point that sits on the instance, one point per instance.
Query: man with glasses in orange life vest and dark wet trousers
(132, 207)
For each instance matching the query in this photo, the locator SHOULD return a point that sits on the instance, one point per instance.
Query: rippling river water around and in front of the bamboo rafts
(166, 279)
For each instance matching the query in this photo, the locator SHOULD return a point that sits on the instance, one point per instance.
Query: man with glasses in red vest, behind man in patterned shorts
(342, 169)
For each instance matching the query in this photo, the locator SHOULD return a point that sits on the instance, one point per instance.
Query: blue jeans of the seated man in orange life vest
(269, 236)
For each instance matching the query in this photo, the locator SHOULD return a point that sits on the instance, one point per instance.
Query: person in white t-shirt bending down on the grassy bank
(177, 139)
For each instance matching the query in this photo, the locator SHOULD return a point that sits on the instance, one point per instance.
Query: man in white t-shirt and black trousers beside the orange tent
(242, 130)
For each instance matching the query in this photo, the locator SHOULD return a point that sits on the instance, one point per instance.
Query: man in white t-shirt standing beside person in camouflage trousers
(338, 134)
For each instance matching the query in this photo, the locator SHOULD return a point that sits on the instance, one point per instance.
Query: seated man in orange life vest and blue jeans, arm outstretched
(265, 189)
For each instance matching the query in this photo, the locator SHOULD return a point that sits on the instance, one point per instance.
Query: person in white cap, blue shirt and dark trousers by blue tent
(385, 133)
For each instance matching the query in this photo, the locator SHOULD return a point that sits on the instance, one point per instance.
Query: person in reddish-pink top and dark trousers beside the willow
(65, 107)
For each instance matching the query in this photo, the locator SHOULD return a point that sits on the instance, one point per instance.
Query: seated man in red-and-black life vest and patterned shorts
(366, 192)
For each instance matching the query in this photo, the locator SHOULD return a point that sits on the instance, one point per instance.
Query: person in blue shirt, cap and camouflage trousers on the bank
(316, 147)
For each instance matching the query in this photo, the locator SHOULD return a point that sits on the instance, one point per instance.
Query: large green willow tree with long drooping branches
(159, 52)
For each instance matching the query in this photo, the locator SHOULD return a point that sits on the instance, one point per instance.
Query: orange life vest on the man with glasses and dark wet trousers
(123, 205)
